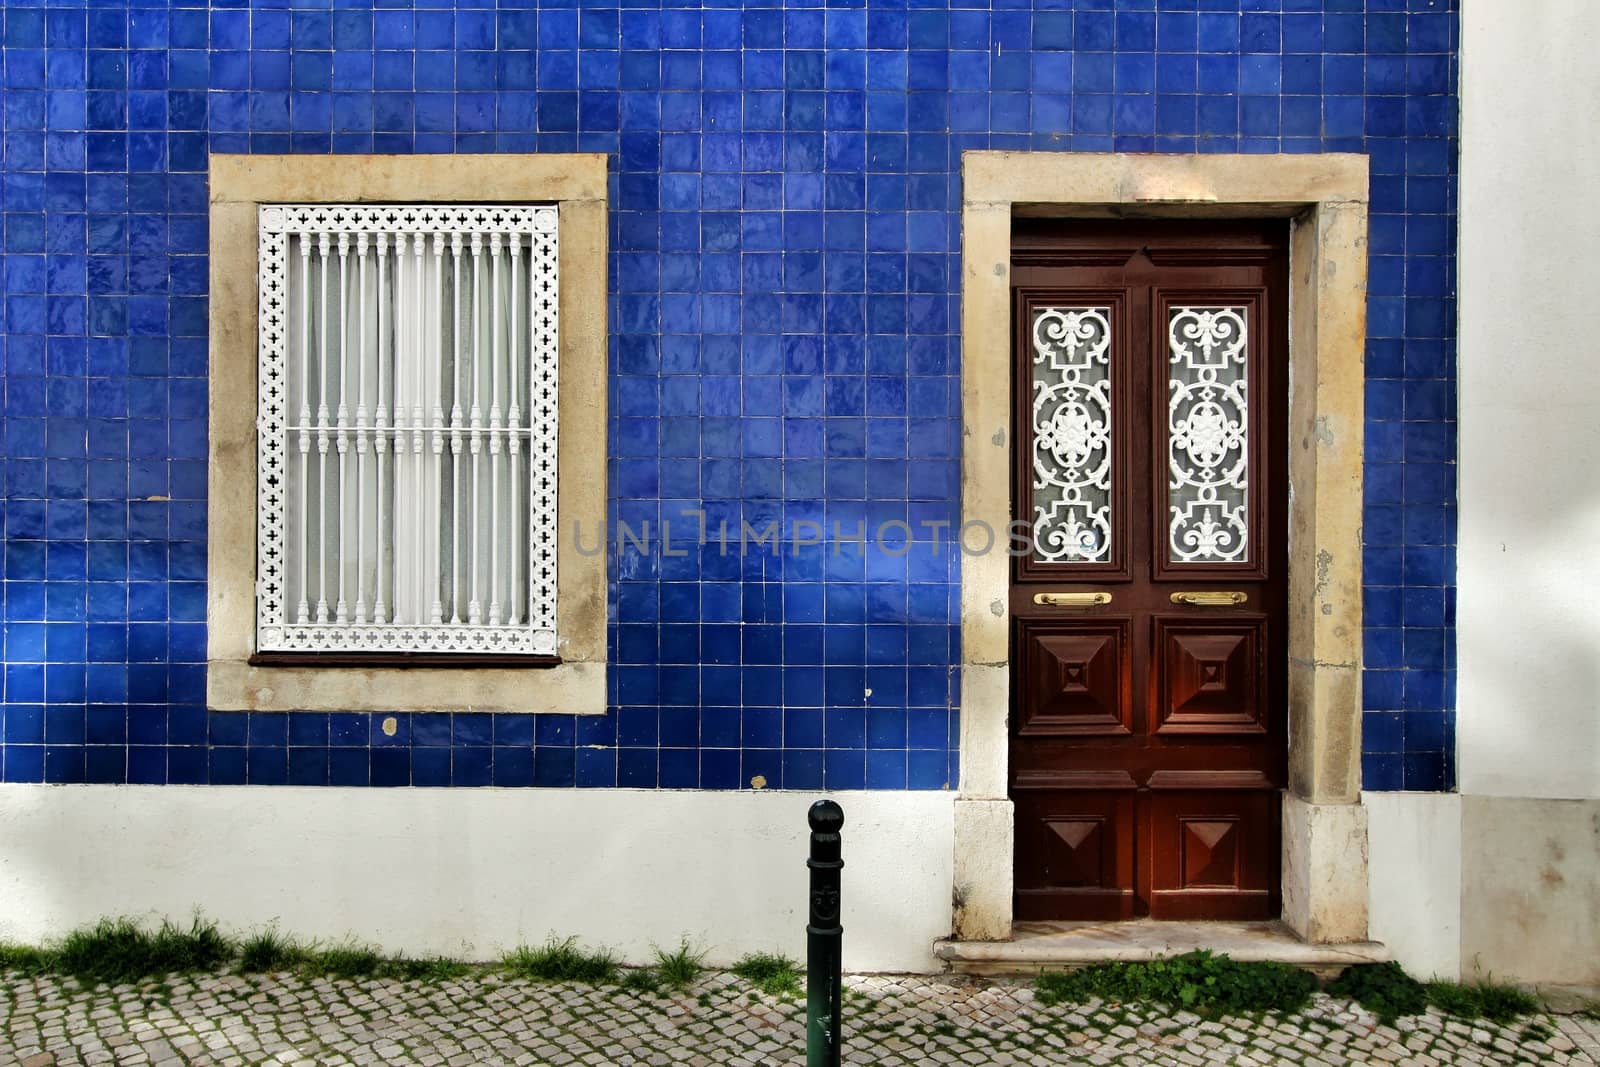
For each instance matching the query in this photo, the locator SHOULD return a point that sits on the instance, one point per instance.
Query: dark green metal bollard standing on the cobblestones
(823, 940)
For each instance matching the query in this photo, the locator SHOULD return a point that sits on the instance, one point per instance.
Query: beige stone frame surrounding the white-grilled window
(239, 185)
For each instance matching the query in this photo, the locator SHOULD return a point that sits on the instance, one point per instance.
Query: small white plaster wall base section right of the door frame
(1414, 871)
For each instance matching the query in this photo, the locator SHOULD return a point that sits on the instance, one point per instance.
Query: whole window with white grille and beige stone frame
(407, 433)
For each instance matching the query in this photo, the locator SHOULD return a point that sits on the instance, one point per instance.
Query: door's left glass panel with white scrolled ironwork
(1073, 462)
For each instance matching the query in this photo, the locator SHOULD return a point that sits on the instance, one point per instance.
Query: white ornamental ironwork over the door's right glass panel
(1209, 436)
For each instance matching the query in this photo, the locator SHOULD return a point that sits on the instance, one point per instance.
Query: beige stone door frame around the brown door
(1326, 199)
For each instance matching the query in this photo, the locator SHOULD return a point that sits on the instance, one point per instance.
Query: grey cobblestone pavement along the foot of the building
(494, 1020)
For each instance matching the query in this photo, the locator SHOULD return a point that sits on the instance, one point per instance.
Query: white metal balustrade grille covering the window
(407, 425)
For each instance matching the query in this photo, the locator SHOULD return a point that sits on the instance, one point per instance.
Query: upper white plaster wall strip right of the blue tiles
(1529, 615)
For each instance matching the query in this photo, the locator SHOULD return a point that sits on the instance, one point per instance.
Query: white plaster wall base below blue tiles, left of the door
(474, 871)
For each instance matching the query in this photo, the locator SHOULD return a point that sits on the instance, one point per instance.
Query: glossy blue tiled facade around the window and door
(785, 314)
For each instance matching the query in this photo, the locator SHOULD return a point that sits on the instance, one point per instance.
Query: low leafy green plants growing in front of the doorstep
(1209, 985)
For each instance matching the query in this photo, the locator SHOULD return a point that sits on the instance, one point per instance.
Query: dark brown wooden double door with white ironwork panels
(1148, 644)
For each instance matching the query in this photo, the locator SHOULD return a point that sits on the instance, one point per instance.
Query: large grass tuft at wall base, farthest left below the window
(122, 951)
